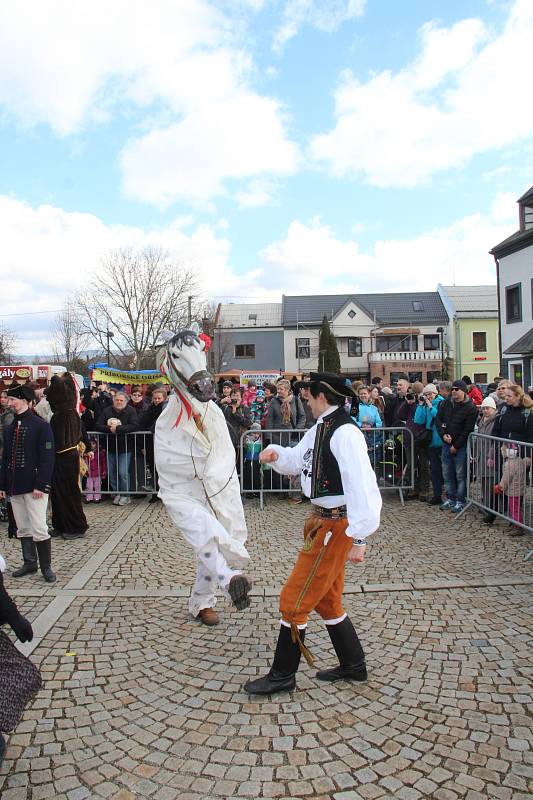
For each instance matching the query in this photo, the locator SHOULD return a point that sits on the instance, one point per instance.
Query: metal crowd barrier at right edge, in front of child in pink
(492, 461)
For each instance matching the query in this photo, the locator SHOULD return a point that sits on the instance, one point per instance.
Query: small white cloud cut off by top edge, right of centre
(325, 15)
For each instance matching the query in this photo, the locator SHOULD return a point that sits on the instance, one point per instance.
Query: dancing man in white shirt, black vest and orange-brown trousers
(337, 476)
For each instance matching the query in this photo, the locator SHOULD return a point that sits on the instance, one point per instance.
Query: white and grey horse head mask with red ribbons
(185, 364)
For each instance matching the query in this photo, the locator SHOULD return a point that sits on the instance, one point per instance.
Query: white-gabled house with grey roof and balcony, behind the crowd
(377, 334)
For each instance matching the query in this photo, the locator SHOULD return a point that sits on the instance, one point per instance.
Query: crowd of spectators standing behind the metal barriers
(438, 416)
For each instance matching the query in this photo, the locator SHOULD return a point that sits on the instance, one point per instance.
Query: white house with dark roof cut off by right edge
(514, 271)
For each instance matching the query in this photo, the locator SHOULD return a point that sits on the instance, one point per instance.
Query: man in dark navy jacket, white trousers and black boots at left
(25, 476)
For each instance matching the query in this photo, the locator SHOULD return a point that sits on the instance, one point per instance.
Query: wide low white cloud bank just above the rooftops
(47, 253)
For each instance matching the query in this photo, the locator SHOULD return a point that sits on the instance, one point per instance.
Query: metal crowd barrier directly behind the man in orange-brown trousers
(390, 450)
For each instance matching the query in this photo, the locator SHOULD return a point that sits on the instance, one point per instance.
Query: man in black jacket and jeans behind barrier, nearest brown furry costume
(117, 421)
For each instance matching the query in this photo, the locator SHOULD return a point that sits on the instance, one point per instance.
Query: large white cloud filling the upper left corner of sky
(181, 66)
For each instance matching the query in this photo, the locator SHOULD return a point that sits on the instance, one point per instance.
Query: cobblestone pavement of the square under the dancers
(139, 700)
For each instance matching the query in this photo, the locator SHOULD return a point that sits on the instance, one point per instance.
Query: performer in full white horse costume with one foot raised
(198, 484)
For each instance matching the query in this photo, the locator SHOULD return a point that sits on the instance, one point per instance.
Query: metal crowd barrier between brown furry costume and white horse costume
(122, 465)
